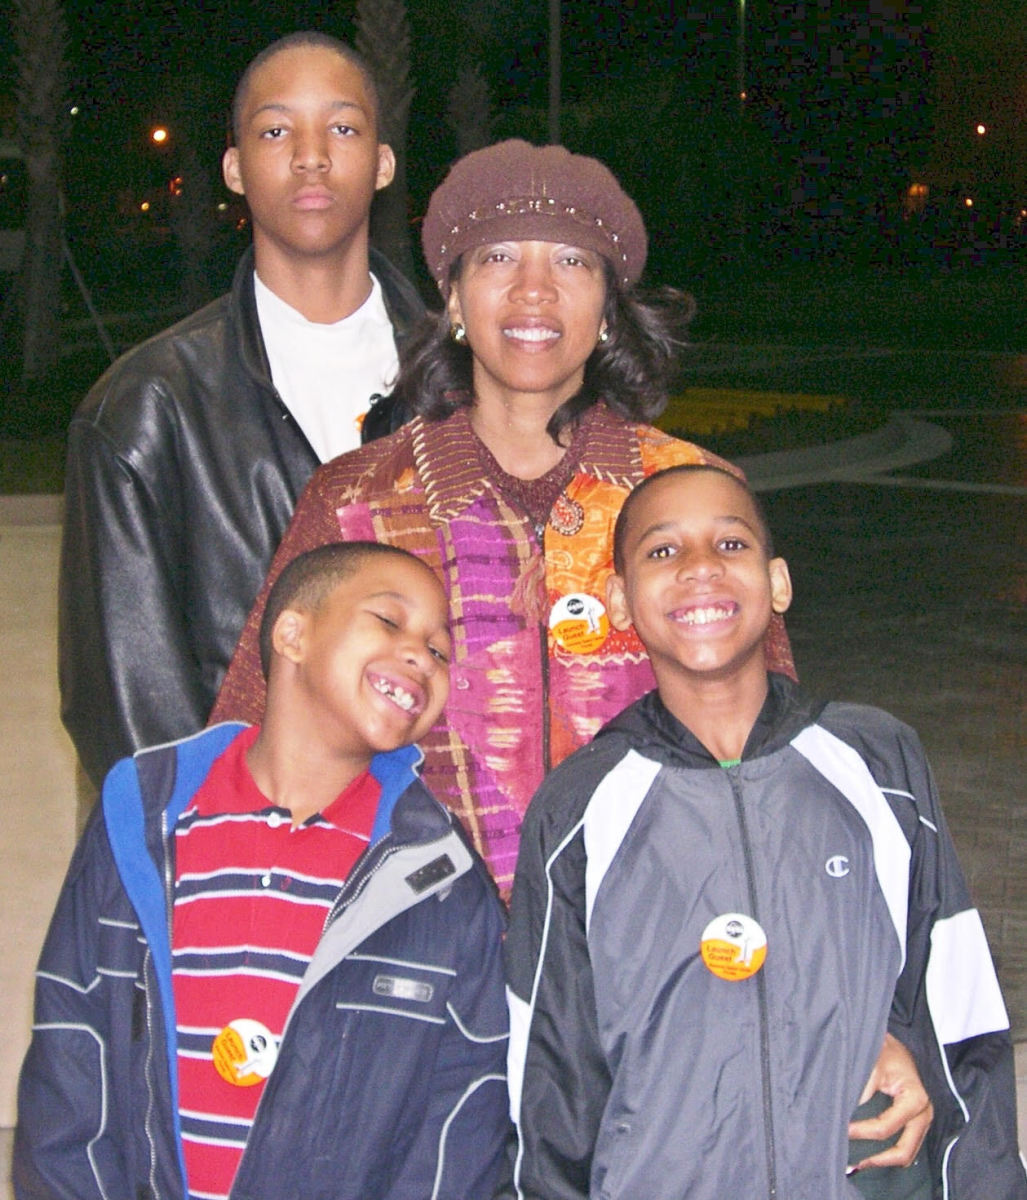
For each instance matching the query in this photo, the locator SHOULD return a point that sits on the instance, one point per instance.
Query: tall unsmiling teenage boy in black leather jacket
(187, 459)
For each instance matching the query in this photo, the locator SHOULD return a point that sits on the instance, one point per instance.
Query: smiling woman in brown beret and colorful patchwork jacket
(528, 393)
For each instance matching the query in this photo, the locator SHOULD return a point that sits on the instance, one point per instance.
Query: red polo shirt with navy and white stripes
(253, 895)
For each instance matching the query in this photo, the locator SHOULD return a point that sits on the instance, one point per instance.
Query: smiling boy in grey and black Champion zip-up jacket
(724, 903)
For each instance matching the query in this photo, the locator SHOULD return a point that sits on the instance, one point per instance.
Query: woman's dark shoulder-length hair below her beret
(630, 371)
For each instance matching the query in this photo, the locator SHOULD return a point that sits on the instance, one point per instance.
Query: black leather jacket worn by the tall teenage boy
(183, 471)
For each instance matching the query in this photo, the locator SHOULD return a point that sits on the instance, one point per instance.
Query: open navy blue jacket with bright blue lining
(391, 1078)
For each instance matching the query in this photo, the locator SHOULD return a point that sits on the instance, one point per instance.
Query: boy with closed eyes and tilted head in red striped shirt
(275, 968)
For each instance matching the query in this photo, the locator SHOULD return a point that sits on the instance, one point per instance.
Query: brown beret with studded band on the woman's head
(515, 191)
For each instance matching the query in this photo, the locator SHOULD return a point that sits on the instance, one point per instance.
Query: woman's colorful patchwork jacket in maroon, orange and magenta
(537, 669)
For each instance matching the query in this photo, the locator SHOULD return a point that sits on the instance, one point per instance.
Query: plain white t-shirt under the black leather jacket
(327, 375)
